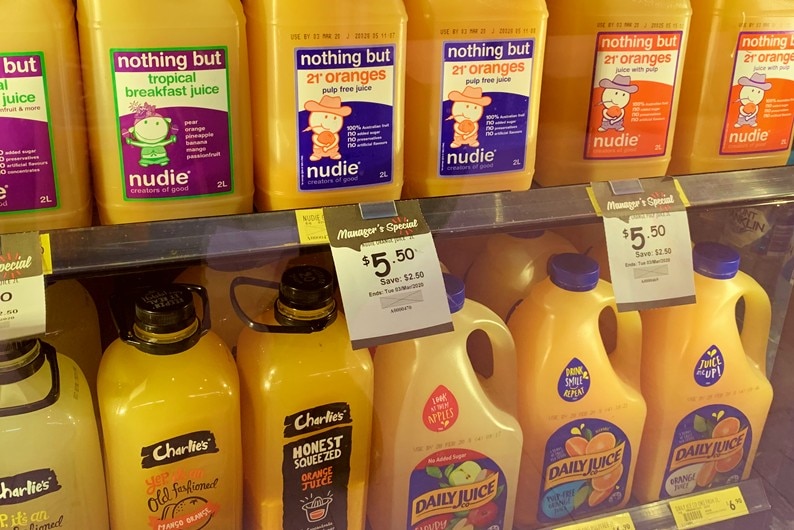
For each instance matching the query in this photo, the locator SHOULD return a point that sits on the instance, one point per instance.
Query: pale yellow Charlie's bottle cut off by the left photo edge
(51, 472)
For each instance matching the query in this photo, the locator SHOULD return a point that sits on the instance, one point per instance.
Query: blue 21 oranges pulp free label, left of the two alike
(345, 116)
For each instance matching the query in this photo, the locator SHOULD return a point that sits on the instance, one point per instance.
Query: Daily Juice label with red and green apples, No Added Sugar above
(457, 488)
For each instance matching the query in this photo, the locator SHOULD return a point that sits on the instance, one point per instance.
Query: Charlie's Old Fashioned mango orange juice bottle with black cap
(169, 403)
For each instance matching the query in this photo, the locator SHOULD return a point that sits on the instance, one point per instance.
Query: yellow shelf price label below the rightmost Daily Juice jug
(708, 508)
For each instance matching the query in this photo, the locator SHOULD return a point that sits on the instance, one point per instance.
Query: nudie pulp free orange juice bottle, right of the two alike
(472, 93)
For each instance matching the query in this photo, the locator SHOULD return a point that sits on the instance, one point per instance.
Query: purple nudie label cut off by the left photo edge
(27, 167)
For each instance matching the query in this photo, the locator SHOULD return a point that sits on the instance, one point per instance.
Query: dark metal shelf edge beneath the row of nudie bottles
(111, 249)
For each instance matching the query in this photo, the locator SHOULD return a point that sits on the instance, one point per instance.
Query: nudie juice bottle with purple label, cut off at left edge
(45, 183)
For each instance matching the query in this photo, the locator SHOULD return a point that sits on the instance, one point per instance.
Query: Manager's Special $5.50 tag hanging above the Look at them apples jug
(388, 273)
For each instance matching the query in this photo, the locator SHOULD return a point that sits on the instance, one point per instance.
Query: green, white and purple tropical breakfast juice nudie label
(172, 109)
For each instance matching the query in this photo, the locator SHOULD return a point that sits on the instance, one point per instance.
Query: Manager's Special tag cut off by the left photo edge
(22, 305)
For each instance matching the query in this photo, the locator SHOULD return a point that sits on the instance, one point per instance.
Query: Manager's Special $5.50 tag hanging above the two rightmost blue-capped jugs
(648, 243)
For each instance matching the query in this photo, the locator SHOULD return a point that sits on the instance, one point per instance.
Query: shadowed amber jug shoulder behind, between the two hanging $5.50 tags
(502, 276)
